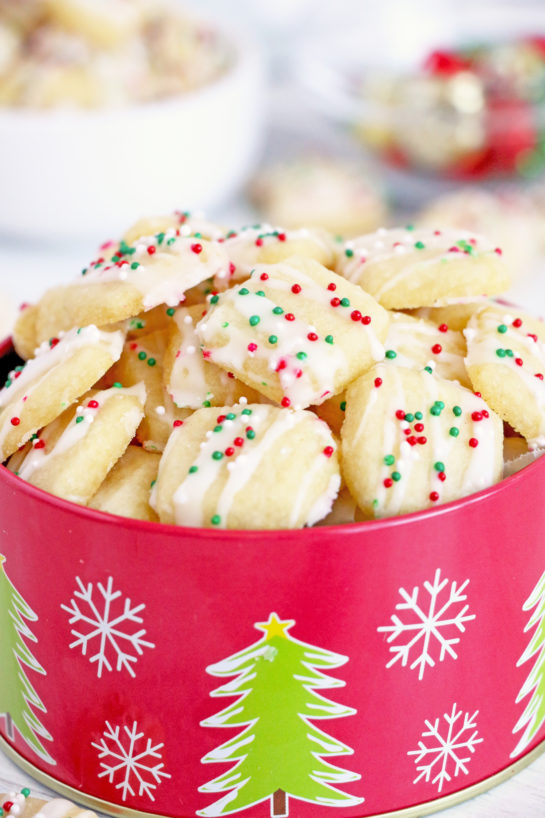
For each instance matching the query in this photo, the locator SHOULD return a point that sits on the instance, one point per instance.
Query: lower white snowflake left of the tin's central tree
(132, 759)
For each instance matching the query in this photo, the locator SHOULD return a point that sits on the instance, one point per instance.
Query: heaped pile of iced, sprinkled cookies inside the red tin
(270, 378)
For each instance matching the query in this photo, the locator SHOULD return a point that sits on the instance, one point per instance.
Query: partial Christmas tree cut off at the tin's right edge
(534, 714)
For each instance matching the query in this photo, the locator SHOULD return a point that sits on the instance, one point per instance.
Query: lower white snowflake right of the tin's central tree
(446, 752)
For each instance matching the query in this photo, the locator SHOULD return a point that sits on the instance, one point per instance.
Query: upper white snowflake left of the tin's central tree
(101, 624)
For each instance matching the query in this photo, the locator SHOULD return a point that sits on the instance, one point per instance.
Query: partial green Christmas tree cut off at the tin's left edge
(17, 696)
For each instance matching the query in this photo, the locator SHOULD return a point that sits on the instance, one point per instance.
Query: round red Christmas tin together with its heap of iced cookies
(271, 503)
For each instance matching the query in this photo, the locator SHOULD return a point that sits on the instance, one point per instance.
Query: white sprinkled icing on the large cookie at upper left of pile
(163, 276)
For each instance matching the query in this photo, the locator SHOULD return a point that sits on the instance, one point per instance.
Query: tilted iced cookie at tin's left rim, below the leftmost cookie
(71, 456)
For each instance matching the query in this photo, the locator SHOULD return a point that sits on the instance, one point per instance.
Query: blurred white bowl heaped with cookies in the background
(110, 108)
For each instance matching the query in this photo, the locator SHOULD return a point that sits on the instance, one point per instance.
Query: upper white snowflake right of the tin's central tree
(431, 620)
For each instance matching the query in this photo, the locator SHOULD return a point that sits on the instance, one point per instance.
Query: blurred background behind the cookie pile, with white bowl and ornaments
(350, 115)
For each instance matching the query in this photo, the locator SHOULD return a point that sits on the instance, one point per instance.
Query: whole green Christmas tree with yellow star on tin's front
(280, 753)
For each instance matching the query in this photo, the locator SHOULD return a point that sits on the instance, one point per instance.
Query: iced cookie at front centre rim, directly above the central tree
(218, 469)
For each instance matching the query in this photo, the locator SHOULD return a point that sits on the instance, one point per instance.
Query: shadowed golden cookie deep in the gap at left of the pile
(142, 361)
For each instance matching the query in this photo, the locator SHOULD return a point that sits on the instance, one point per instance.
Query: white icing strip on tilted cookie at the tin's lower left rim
(77, 429)
